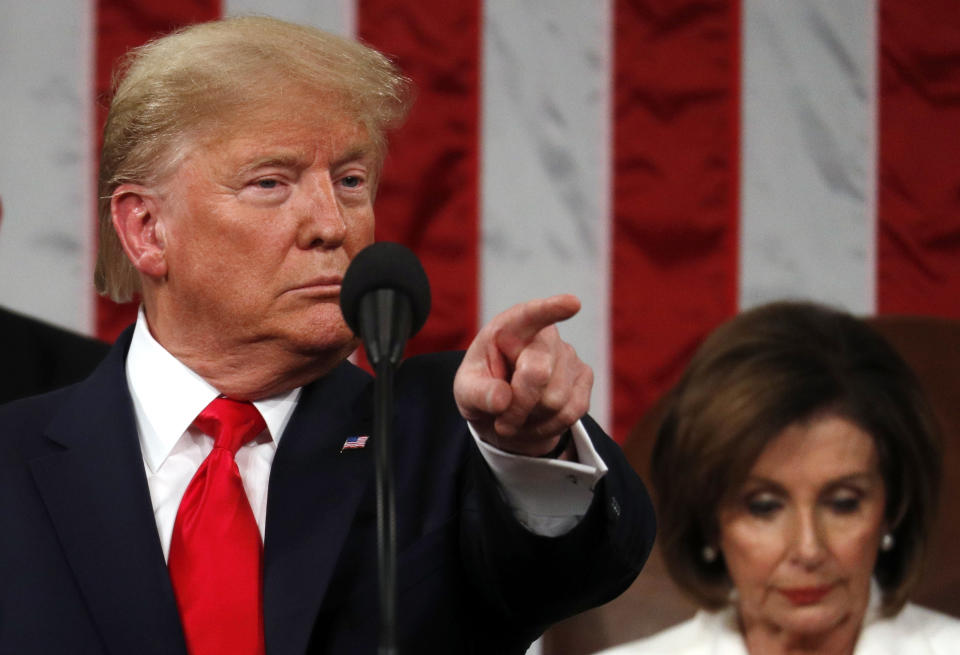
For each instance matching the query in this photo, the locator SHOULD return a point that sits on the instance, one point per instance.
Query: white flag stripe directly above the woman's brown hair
(808, 145)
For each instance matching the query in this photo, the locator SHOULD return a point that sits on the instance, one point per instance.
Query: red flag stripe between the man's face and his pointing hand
(428, 198)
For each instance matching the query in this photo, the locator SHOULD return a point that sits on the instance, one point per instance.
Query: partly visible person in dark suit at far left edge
(38, 357)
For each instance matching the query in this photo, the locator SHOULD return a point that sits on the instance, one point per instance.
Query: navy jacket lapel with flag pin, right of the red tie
(314, 492)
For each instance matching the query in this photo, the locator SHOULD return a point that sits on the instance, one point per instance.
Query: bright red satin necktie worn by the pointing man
(216, 555)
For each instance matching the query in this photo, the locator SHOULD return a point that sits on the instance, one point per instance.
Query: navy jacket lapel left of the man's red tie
(96, 492)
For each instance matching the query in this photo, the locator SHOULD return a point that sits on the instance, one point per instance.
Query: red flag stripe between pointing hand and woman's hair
(676, 173)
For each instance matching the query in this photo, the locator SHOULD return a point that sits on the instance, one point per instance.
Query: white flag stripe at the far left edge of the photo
(46, 167)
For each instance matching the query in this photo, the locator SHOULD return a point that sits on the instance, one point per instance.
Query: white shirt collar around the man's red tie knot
(167, 396)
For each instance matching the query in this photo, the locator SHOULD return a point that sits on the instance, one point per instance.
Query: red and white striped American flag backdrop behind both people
(668, 161)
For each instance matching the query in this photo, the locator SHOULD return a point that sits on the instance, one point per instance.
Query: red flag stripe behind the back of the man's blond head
(121, 25)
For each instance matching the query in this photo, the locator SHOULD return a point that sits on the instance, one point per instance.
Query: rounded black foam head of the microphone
(385, 265)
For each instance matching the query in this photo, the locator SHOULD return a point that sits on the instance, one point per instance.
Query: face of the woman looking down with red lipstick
(800, 538)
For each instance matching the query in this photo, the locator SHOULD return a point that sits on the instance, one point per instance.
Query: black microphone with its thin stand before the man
(385, 298)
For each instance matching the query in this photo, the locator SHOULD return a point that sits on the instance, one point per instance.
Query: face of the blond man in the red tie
(259, 223)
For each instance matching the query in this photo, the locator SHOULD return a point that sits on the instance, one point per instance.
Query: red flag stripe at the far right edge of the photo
(918, 235)
